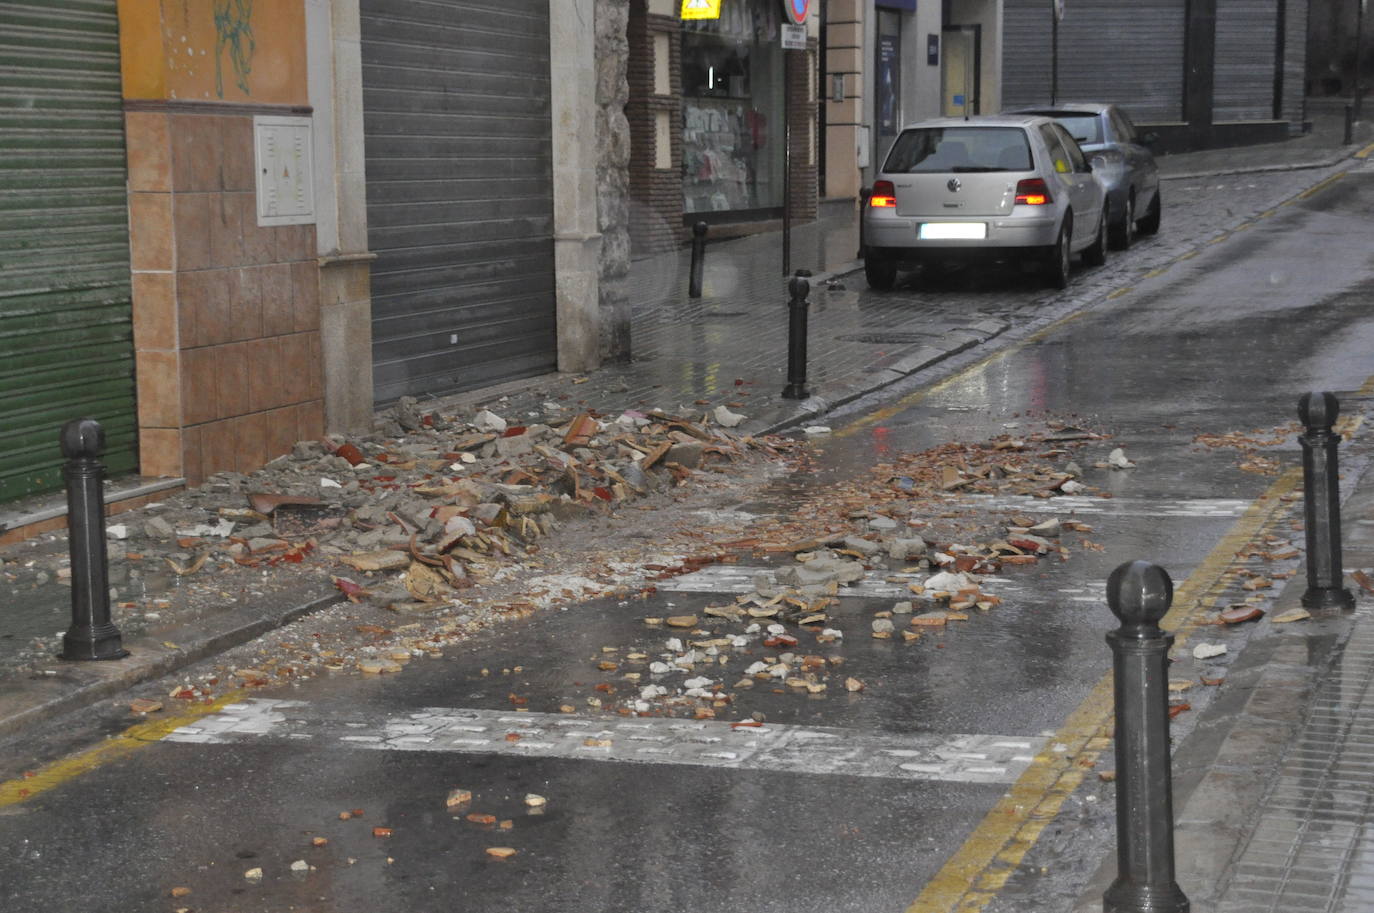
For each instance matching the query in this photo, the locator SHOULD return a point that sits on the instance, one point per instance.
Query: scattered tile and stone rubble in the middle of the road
(784, 635)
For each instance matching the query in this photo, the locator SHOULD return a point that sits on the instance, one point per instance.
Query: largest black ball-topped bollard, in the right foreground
(1140, 595)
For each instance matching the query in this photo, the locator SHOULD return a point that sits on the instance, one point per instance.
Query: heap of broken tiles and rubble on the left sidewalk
(446, 505)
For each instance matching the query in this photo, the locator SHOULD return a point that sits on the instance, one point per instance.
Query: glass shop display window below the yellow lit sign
(733, 109)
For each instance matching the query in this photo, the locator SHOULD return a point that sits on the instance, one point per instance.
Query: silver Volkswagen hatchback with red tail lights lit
(984, 188)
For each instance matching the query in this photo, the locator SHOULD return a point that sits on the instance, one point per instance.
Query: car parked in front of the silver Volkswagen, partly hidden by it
(1123, 162)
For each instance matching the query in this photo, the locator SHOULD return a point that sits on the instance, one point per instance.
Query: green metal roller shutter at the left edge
(67, 339)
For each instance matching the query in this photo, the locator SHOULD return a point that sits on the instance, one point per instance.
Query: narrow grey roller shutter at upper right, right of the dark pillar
(1247, 35)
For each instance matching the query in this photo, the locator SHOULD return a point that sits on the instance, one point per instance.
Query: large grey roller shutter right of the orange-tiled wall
(460, 193)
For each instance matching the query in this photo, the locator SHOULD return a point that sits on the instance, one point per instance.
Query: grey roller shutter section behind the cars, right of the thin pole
(1129, 54)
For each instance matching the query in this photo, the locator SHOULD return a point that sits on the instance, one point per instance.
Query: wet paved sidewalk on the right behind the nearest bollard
(1274, 787)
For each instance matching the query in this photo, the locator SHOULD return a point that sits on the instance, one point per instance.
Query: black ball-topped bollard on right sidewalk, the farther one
(1322, 501)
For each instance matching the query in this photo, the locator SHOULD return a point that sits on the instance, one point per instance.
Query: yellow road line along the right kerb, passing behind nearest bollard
(991, 855)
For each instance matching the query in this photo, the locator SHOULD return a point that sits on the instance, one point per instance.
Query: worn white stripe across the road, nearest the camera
(810, 750)
